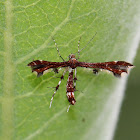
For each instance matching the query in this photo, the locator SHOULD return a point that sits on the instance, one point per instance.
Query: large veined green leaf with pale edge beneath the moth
(26, 29)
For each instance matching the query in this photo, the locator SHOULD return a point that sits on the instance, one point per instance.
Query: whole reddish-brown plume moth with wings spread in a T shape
(116, 67)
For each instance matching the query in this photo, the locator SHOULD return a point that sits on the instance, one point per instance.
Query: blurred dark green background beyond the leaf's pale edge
(129, 122)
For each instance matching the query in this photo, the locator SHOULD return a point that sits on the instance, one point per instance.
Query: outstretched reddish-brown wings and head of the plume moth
(117, 67)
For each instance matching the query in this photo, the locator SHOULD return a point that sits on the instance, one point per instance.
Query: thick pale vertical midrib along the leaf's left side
(7, 98)
